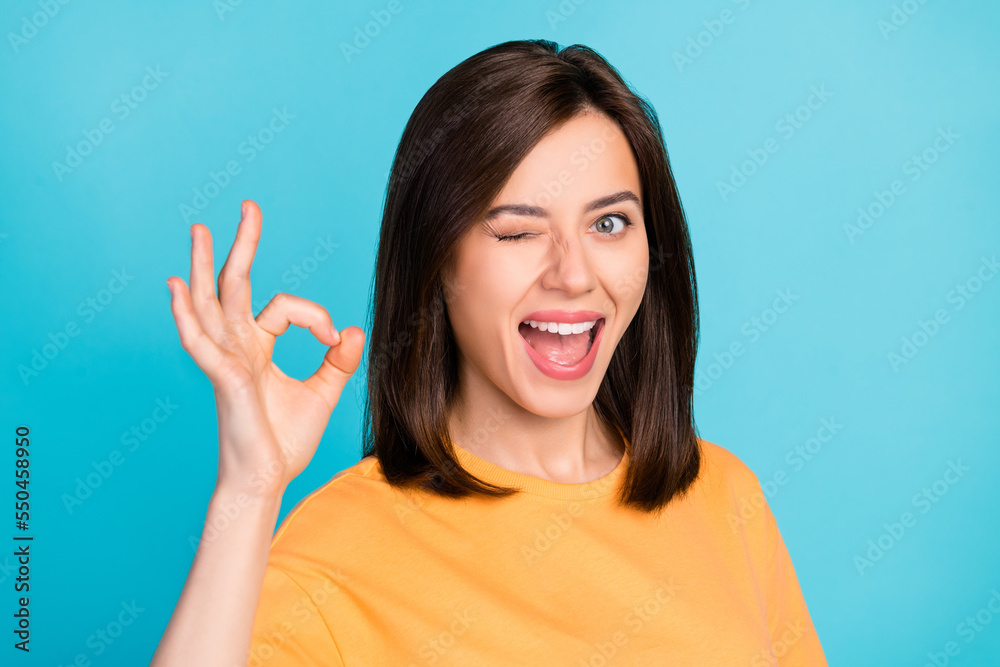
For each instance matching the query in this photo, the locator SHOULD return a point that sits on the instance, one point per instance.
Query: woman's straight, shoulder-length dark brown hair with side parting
(465, 137)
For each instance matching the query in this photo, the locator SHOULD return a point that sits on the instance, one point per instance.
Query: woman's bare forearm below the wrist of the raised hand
(212, 623)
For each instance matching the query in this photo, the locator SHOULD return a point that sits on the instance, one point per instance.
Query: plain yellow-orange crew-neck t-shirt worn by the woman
(360, 573)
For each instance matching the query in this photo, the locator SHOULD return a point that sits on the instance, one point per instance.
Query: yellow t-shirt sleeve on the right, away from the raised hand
(793, 637)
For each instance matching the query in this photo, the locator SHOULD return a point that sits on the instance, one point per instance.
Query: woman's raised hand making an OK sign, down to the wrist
(269, 424)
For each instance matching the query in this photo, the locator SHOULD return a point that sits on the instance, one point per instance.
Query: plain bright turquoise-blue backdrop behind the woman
(322, 179)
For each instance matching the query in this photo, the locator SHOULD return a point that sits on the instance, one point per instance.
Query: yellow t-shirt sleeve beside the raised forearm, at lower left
(289, 628)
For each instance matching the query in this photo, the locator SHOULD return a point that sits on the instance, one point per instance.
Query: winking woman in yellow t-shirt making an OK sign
(532, 489)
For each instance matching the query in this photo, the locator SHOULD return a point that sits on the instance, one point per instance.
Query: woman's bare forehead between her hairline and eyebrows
(586, 156)
